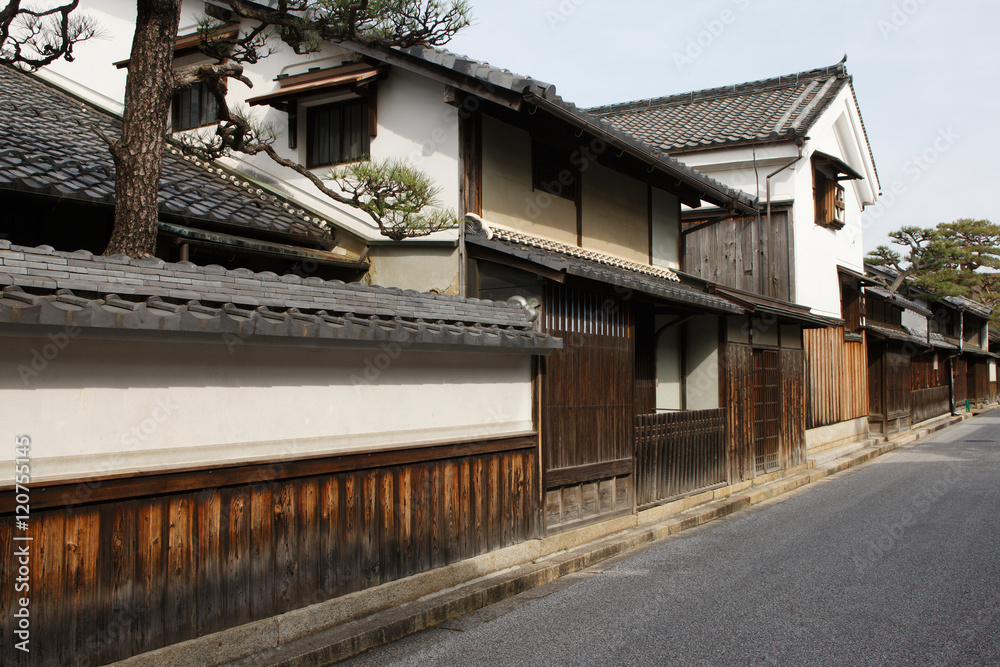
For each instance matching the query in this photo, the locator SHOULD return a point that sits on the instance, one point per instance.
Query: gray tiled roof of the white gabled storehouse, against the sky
(781, 108)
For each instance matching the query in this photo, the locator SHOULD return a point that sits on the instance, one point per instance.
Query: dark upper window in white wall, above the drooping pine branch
(337, 133)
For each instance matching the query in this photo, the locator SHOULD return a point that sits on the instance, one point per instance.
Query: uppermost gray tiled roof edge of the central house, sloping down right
(487, 75)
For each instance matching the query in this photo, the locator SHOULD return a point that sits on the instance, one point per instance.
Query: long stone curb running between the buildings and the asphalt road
(384, 614)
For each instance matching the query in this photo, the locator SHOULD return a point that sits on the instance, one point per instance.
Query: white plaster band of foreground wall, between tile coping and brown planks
(103, 407)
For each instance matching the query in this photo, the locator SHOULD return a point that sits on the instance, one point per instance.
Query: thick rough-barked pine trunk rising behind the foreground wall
(139, 153)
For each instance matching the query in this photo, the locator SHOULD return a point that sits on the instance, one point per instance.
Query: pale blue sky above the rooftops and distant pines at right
(926, 73)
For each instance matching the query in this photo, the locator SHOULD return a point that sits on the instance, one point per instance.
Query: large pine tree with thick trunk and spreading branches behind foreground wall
(400, 201)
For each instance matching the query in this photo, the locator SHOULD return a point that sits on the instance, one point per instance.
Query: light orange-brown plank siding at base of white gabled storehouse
(837, 371)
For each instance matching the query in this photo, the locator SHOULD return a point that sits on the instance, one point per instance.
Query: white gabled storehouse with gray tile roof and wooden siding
(797, 142)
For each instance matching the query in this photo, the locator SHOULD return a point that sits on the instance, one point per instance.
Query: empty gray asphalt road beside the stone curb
(893, 563)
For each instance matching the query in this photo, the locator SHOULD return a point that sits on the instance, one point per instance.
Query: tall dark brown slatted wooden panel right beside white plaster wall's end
(587, 393)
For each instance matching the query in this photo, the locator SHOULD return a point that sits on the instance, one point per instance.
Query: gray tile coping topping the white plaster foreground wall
(47, 287)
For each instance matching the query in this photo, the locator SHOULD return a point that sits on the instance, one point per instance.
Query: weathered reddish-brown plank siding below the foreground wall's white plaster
(119, 577)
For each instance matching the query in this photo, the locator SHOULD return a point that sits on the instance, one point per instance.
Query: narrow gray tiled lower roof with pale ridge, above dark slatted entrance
(598, 267)
